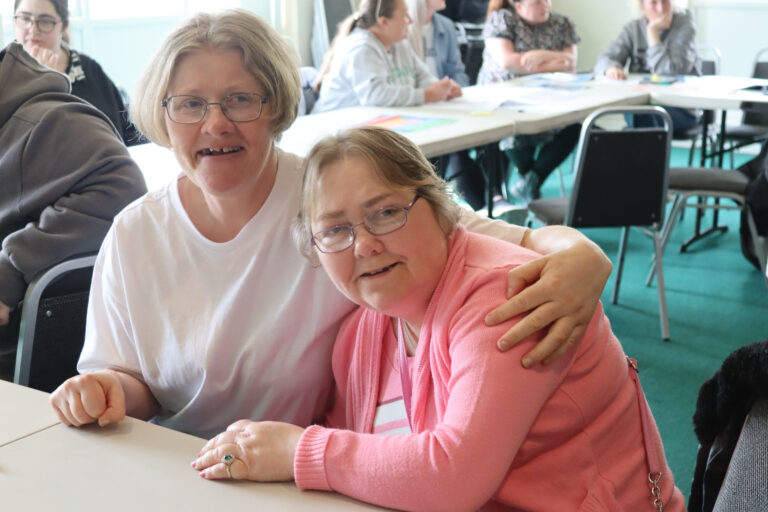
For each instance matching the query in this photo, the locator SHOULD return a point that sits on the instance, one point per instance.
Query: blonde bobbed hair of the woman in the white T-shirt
(265, 54)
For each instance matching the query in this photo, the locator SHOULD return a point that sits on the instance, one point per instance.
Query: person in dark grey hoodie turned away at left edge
(64, 174)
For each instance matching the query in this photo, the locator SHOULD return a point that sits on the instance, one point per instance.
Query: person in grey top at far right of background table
(662, 42)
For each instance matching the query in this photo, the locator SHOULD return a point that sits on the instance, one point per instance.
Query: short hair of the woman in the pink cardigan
(396, 161)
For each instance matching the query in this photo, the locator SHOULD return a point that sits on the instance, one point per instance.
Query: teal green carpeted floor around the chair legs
(717, 302)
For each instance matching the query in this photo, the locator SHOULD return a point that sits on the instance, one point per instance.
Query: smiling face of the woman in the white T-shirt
(221, 157)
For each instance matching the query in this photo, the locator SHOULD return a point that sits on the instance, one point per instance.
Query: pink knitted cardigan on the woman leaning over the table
(488, 432)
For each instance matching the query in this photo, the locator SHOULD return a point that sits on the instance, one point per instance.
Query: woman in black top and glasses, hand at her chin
(40, 28)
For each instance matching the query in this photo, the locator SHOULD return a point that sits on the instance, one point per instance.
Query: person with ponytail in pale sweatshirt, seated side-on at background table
(371, 63)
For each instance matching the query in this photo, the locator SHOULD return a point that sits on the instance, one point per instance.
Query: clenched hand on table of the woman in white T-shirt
(91, 397)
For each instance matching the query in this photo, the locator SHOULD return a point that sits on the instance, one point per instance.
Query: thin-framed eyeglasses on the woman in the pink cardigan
(380, 222)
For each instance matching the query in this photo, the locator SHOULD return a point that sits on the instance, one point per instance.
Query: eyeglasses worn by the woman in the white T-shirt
(239, 107)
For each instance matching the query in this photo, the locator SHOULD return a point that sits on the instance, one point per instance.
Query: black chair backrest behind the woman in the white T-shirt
(52, 327)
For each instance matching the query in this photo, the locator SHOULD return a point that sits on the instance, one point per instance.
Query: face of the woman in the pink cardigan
(395, 273)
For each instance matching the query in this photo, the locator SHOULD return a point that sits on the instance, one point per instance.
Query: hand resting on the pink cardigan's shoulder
(560, 292)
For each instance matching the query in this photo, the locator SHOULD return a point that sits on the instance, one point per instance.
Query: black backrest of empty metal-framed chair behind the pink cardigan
(621, 174)
